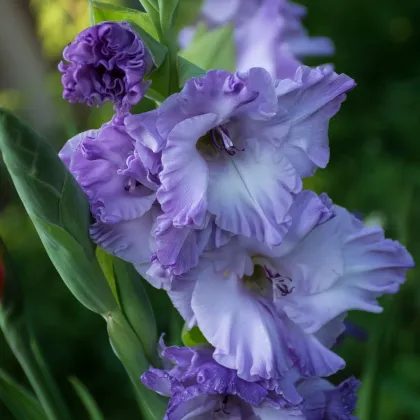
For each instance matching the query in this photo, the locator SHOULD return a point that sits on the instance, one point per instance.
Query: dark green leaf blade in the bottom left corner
(20, 402)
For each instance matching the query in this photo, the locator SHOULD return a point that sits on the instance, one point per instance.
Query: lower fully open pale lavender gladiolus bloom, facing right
(290, 299)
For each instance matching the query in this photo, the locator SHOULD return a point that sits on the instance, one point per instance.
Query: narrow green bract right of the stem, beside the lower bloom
(136, 307)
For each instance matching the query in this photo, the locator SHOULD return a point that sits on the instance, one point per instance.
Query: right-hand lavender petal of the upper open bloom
(314, 96)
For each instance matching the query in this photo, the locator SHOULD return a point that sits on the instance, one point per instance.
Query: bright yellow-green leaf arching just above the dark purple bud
(105, 11)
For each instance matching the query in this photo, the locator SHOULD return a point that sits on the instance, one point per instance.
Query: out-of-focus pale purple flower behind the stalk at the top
(285, 42)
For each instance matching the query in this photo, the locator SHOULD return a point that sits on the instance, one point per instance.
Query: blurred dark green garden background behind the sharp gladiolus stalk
(374, 170)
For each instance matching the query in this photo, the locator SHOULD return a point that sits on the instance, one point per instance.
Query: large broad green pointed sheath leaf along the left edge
(59, 210)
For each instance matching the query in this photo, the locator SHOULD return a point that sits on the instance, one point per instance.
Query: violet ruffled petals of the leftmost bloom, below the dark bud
(97, 159)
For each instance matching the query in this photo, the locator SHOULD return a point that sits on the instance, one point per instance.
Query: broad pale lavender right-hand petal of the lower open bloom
(345, 266)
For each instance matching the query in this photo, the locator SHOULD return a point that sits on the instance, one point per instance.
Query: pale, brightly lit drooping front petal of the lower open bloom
(233, 321)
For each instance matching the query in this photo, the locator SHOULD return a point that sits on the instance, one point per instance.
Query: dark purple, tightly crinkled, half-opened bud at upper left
(107, 62)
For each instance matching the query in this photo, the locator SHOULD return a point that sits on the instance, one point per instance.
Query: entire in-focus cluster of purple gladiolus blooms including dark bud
(204, 196)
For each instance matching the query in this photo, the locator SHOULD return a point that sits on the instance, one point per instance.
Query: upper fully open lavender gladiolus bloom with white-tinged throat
(234, 148)
